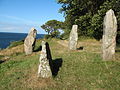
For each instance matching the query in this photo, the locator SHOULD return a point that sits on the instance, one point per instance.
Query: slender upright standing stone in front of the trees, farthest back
(73, 38)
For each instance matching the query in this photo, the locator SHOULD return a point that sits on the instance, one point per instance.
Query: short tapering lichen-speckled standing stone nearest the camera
(44, 69)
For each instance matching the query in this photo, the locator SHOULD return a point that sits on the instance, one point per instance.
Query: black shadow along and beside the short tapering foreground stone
(54, 64)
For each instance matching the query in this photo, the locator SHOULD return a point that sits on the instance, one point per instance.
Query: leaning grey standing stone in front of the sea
(29, 42)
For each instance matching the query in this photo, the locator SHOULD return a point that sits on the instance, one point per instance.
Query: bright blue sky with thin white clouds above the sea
(21, 15)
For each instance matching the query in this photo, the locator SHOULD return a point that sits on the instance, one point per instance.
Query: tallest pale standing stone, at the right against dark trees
(109, 35)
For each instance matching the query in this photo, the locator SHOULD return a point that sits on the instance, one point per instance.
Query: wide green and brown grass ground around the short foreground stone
(80, 70)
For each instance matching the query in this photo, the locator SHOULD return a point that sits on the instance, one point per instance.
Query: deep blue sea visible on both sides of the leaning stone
(6, 38)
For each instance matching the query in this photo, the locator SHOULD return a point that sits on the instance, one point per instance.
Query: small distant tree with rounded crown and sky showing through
(52, 27)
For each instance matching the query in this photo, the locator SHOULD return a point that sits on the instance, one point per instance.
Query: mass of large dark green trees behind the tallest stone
(89, 15)
